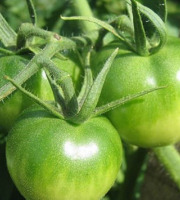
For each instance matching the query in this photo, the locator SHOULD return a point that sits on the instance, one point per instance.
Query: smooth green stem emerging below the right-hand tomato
(170, 158)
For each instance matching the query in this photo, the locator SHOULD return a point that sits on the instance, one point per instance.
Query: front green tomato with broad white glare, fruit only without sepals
(49, 158)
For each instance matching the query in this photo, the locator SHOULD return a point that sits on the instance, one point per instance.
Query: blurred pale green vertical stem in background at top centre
(82, 8)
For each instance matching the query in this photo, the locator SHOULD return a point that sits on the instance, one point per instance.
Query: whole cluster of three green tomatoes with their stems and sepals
(58, 152)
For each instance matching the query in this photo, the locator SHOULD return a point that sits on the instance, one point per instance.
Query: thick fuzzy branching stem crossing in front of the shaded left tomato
(56, 44)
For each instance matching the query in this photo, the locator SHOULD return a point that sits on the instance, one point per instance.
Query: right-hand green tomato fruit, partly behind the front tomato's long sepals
(152, 120)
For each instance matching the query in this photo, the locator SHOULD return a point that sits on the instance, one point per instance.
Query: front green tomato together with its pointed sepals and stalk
(65, 152)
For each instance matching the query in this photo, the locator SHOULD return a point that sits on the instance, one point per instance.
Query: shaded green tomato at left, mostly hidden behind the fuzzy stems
(11, 107)
